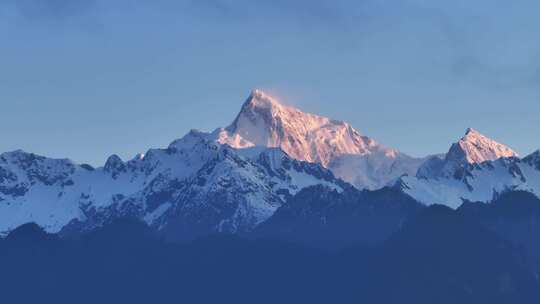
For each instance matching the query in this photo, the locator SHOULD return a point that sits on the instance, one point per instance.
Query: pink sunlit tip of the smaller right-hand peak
(476, 148)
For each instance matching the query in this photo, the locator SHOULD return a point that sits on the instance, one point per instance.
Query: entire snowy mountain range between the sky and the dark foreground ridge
(246, 177)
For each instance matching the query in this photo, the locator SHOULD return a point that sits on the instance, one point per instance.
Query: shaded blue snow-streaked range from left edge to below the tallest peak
(197, 182)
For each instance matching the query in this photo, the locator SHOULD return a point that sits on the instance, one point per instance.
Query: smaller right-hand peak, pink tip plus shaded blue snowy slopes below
(476, 168)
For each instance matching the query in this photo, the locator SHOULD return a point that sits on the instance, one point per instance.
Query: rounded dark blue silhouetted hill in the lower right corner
(442, 257)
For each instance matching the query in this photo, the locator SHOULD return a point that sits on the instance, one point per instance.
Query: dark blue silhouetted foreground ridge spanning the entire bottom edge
(436, 256)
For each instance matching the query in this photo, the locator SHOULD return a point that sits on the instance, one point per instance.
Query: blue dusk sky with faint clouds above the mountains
(87, 78)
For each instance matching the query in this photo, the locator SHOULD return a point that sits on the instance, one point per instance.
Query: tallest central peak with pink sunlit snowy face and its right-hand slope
(355, 158)
